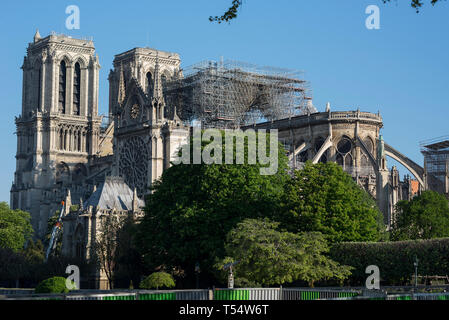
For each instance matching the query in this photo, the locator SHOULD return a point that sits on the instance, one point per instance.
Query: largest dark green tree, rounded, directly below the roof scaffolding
(194, 206)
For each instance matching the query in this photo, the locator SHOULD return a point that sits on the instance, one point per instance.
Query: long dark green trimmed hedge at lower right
(394, 259)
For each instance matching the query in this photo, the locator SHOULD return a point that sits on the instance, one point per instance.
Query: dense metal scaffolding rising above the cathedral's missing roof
(230, 94)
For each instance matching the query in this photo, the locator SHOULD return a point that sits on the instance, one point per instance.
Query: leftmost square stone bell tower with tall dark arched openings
(58, 128)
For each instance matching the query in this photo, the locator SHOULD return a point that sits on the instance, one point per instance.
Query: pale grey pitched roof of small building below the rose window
(113, 193)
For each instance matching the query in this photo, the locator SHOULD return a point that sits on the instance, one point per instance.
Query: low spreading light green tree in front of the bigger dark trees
(266, 256)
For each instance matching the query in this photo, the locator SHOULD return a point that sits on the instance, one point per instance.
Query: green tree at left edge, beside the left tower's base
(15, 227)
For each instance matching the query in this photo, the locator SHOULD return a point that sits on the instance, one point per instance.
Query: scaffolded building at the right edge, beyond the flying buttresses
(436, 163)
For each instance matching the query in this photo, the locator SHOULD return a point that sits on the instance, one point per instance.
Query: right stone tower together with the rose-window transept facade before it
(147, 131)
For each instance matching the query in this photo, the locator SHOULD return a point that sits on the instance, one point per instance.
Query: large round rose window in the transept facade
(133, 164)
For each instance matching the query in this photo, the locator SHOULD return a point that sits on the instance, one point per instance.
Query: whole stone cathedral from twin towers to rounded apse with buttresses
(65, 147)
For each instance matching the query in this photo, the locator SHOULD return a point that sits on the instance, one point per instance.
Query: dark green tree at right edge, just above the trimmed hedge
(426, 216)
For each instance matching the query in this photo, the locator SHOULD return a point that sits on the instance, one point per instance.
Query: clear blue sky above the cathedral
(401, 70)
